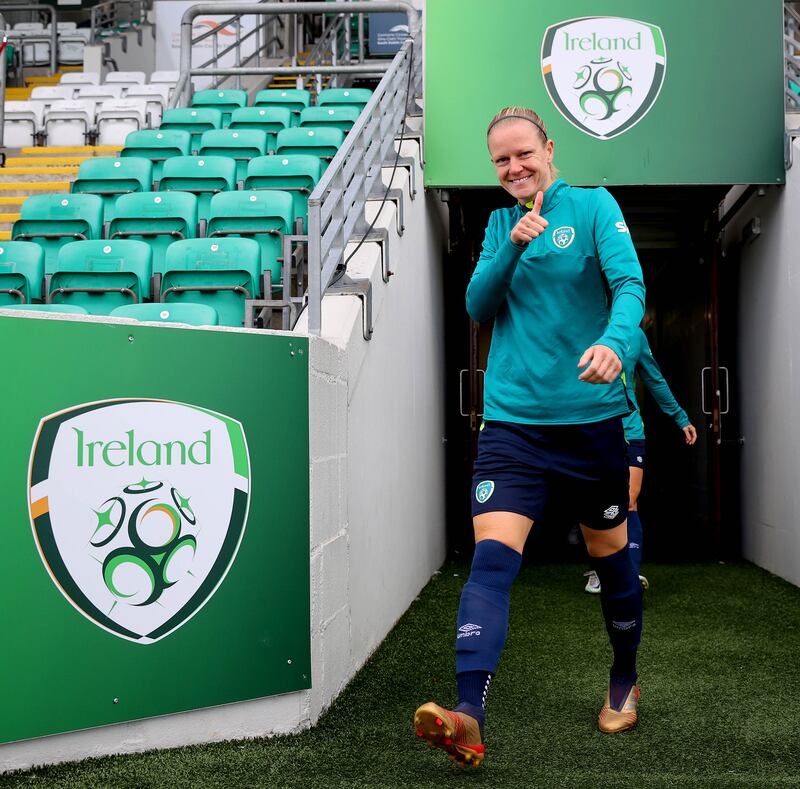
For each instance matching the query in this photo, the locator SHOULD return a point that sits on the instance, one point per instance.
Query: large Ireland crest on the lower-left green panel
(138, 508)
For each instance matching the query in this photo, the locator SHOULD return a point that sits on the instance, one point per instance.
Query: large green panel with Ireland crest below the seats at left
(155, 526)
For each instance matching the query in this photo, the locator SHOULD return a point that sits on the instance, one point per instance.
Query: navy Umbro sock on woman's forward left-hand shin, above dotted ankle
(483, 611)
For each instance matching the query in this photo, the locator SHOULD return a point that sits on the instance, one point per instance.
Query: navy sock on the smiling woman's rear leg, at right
(621, 601)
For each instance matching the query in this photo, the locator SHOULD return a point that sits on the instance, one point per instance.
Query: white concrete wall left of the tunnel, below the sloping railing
(377, 482)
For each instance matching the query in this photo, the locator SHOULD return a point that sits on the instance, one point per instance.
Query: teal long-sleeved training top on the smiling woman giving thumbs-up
(550, 303)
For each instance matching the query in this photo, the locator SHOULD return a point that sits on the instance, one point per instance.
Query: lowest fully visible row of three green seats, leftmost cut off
(100, 276)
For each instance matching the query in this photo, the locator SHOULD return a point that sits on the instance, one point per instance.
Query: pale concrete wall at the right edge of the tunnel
(768, 367)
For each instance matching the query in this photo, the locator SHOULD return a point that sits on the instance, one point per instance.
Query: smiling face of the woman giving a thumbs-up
(521, 158)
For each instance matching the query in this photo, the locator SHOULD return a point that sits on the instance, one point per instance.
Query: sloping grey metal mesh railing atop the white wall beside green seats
(336, 206)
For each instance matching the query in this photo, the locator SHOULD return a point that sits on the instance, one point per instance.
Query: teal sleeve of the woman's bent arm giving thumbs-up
(492, 276)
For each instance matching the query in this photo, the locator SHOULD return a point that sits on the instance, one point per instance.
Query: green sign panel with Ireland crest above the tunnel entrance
(632, 92)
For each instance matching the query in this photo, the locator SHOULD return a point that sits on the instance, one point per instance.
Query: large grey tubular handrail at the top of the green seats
(187, 71)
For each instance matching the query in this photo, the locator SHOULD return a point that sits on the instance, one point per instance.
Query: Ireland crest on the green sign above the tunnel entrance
(603, 73)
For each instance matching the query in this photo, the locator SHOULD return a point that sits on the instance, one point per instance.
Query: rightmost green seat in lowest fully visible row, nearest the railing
(220, 272)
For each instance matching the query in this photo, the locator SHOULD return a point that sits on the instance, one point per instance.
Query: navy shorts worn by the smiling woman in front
(520, 468)
